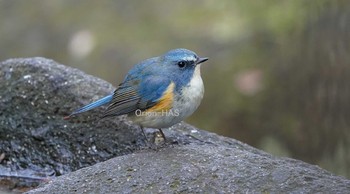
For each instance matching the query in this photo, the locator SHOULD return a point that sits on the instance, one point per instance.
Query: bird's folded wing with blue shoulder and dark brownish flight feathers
(135, 93)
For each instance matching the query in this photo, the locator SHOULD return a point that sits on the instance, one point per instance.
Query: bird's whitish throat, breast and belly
(183, 106)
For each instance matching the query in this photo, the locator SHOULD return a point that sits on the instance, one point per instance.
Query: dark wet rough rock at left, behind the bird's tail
(35, 95)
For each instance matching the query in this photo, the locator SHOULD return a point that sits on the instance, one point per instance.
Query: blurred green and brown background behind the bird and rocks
(278, 77)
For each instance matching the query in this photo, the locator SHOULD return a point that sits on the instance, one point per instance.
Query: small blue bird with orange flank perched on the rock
(157, 92)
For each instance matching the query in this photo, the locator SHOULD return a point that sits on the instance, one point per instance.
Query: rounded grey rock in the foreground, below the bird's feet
(223, 166)
